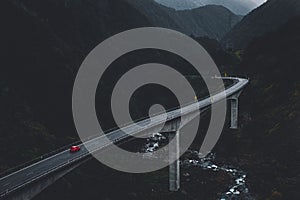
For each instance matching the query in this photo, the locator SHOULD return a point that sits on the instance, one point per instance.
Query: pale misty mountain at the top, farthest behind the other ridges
(237, 6)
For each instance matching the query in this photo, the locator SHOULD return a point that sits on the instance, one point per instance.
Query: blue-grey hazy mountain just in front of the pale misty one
(211, 21)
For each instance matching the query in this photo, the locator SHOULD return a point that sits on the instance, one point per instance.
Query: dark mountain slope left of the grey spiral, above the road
(42, 46)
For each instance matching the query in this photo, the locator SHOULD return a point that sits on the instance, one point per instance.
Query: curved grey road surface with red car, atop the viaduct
(64, 158)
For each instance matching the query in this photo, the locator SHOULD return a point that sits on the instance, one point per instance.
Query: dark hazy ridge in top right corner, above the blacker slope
(264, 19)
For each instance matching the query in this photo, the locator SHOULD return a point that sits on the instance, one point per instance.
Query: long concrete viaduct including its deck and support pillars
(27, 182)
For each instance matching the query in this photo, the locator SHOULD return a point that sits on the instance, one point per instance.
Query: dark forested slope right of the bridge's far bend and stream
(270, 118)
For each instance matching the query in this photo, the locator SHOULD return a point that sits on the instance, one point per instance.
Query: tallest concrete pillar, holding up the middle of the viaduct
(174, 168)
